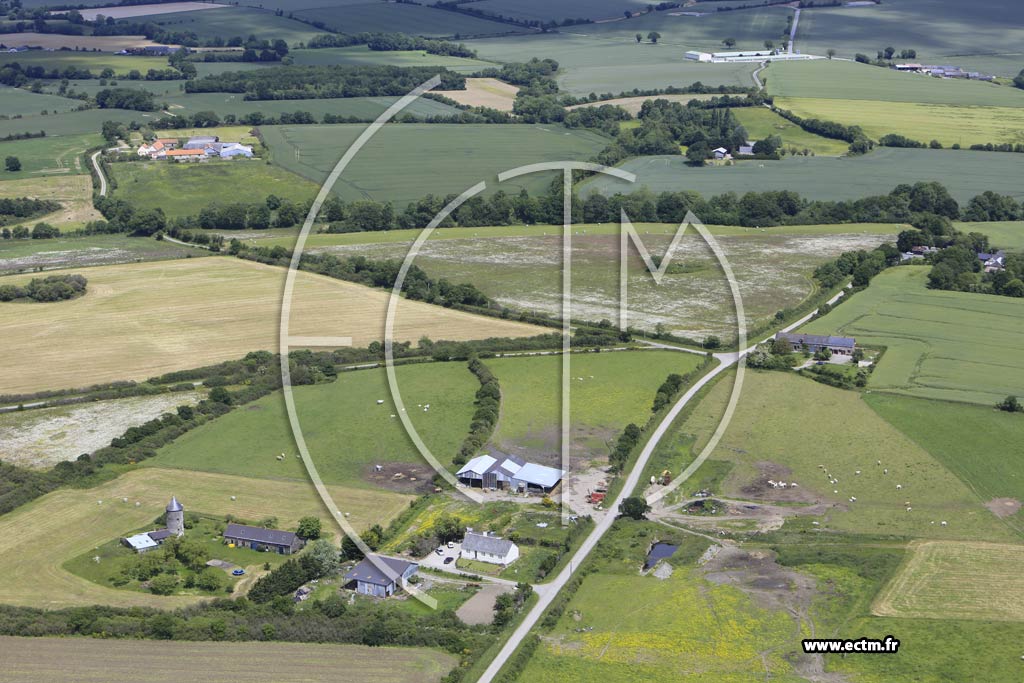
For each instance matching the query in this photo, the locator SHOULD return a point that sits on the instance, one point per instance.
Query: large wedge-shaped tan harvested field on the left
(142, 320)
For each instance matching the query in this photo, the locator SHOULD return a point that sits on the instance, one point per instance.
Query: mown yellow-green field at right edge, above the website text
(957, 580)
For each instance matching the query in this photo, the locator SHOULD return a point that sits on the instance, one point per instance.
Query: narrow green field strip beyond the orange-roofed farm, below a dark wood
(365, 108)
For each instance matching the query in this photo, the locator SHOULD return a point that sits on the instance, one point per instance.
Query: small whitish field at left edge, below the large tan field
(44, 438)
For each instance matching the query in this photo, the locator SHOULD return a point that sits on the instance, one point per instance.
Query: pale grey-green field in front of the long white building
(591, 63)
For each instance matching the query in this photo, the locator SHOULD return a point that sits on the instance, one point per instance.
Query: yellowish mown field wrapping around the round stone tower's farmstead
(37, 539)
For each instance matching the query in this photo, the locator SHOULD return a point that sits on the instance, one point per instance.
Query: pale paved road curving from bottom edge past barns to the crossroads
(727, 361)
